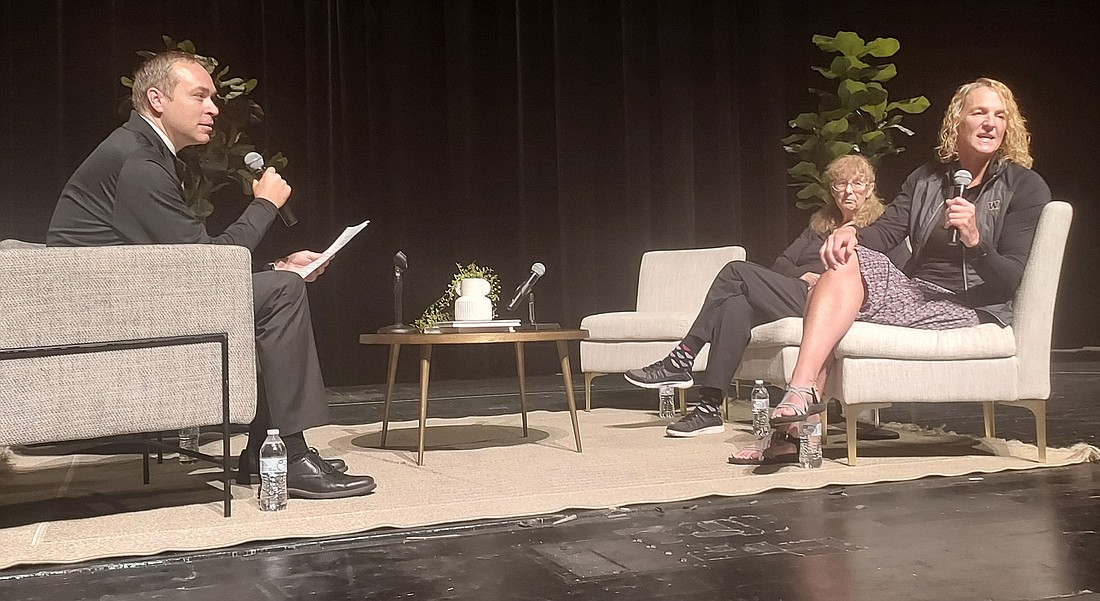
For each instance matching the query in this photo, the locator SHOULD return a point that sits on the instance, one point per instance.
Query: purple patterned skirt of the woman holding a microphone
(895, 300)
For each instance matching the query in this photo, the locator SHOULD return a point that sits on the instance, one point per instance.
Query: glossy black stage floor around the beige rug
(1009, 537)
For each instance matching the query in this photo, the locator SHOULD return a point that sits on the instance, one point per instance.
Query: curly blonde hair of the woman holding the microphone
(1017, 145)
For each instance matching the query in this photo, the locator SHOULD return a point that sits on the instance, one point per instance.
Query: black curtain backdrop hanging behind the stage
(579, 134)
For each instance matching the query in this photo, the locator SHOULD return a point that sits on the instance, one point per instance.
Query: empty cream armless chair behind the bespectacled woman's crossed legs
(672, 289)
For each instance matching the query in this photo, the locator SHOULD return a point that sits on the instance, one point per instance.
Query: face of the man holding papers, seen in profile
(188, 115)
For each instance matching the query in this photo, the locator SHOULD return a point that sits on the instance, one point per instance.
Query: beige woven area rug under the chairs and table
(80, 508)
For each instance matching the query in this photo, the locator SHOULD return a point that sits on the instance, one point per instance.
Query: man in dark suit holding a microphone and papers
(128, 192)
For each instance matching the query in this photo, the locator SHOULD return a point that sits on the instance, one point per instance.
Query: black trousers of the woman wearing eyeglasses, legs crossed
(742, 297)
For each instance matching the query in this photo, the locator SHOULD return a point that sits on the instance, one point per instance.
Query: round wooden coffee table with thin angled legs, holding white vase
(426, 342)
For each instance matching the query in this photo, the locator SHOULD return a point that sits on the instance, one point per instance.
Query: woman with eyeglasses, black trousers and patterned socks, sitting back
(745, 296)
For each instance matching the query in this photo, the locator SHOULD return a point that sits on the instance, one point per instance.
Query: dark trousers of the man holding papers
(292, 390)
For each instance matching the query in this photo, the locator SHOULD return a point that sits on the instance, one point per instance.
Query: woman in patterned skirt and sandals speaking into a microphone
(952, 280)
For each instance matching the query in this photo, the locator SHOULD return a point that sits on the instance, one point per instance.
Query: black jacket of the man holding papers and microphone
(127, 192)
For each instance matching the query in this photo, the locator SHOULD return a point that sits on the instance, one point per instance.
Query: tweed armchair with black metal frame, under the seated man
(123, 341)
